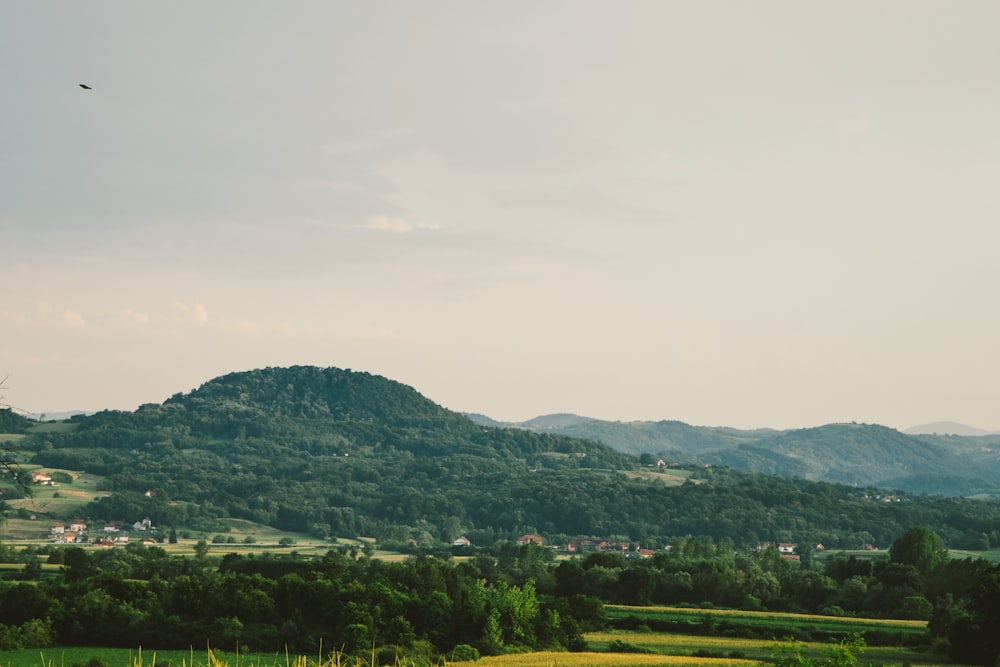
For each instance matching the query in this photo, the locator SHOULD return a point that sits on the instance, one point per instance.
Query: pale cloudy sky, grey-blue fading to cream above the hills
(766, 214)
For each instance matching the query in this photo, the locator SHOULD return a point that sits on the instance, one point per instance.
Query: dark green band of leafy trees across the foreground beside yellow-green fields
(502, 599)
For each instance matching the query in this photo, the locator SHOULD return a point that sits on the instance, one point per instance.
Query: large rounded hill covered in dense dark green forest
(336, 452)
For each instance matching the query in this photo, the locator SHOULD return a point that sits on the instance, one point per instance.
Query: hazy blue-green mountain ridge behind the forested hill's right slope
(856, 454)
